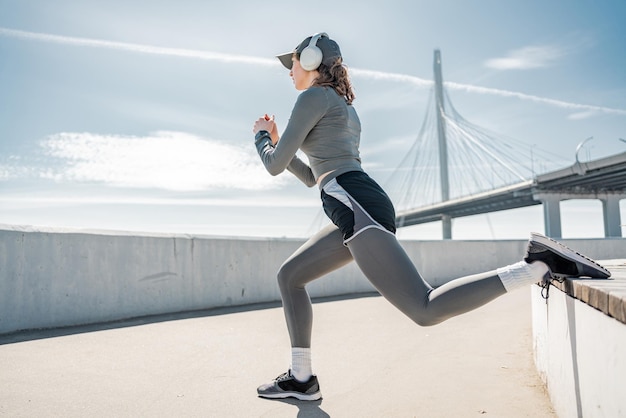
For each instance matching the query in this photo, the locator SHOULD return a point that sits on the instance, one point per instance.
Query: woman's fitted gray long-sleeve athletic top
(326, 129)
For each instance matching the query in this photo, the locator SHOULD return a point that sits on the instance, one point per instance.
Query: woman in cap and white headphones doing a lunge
(325, 126)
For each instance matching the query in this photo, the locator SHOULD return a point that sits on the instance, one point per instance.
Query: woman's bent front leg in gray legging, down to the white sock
(321, 254)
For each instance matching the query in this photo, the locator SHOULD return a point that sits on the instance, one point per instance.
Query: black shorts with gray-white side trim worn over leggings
(354, 202)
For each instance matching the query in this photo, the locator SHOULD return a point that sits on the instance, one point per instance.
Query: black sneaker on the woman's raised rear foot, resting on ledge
(562, 260)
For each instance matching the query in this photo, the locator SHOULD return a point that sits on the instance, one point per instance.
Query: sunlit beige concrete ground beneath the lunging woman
(370, 359)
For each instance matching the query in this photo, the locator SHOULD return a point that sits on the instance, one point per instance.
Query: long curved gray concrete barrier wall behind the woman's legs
(53, 278)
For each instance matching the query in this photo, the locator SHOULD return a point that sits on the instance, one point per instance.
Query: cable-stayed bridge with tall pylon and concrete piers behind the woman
(456, 169)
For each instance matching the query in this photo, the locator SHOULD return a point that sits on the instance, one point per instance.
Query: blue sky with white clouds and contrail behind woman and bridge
(137, 115)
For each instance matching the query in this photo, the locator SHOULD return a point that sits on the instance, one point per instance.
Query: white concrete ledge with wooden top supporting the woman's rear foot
(579, 335)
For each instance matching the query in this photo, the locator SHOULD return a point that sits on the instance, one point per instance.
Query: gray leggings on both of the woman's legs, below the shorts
(387, 266)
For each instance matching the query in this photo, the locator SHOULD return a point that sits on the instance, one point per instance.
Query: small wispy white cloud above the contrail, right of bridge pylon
(527, 58)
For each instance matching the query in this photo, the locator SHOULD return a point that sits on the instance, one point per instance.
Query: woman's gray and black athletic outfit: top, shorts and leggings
(327, 130)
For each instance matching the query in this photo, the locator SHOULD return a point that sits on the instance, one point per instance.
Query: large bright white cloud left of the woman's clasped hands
(164, 160)
